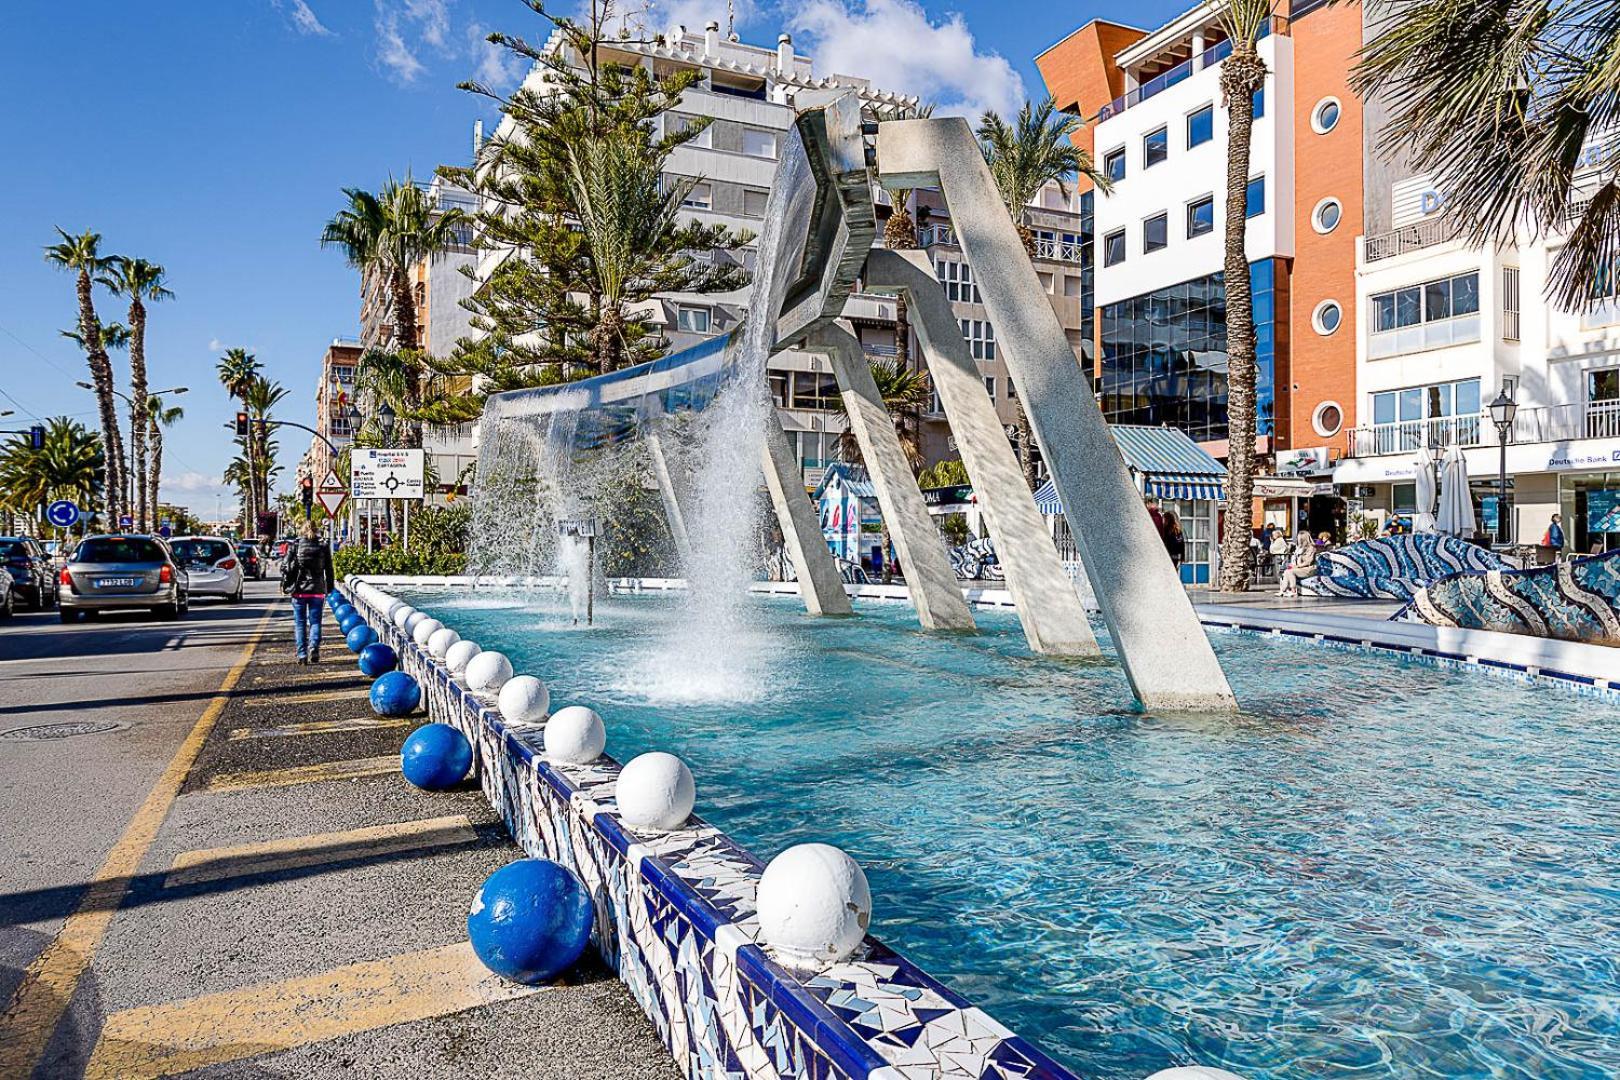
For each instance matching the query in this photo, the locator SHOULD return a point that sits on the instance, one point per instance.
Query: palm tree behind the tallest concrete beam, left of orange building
(1025, 156)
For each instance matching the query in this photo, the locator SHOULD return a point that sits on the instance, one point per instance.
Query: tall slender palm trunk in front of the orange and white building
(1242, 77)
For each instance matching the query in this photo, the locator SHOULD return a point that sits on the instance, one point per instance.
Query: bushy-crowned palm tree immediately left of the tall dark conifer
(390, 234)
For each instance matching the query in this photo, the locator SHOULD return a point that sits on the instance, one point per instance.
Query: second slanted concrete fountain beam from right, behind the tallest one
(1047, 603)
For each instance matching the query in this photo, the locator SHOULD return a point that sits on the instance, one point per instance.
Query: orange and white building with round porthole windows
(1159, 132)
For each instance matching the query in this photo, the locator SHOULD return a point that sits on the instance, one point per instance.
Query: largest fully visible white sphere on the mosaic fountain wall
(814, 904)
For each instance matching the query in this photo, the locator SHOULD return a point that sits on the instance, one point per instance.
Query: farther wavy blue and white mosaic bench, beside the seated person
(1396, 568)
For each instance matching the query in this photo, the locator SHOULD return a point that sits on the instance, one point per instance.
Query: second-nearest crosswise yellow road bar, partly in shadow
(312, 851)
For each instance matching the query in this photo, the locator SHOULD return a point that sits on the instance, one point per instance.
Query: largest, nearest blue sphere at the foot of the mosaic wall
(531, 921)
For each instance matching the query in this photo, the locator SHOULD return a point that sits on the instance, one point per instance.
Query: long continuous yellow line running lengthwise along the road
(49, 982)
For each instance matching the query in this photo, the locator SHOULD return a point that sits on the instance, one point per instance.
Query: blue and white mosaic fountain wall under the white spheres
(676, 921)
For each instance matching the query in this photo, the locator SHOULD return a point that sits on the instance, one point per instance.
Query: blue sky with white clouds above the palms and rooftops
(215, 138)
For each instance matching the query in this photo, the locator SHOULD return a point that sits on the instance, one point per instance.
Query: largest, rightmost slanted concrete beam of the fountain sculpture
(1166, 653)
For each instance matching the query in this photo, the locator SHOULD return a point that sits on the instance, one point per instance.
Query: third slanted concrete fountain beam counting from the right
(929, 576)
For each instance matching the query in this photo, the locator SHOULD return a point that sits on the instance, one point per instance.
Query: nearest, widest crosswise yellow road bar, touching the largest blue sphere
(232, 1026)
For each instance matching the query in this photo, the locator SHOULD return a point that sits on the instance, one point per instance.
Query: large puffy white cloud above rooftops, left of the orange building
(895, 45)
